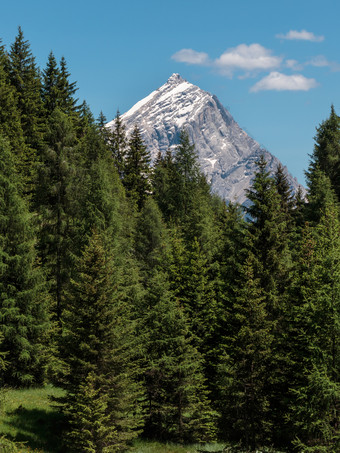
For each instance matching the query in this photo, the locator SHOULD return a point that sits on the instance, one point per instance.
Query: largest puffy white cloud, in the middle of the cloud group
(248, 58)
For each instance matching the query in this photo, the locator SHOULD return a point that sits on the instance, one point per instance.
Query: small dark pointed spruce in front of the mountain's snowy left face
(137, 169)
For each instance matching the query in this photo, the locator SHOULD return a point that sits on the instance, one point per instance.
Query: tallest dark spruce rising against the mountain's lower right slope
(269, 244)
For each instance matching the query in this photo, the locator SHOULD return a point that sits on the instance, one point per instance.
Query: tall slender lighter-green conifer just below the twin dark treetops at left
(53, 201)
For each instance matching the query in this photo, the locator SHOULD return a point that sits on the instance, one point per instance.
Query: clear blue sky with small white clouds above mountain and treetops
(274, 65)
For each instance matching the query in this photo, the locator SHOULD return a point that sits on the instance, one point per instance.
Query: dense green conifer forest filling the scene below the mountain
(161, 310)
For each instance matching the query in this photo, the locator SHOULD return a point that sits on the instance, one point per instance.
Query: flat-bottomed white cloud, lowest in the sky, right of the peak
(281, 82)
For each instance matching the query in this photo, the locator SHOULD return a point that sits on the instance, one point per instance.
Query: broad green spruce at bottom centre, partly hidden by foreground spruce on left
(177, 407)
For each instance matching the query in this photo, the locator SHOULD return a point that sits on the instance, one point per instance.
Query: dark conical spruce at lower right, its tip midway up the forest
(244, 371)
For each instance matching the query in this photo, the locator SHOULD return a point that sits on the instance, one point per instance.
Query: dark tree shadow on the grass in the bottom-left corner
(37, 429)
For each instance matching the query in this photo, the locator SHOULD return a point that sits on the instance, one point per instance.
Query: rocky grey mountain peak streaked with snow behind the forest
(226, 153)
